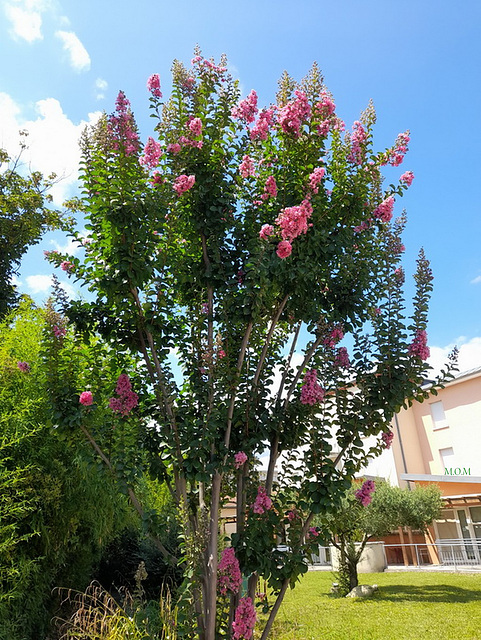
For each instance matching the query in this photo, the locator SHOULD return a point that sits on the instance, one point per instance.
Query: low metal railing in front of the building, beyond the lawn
(459, 554)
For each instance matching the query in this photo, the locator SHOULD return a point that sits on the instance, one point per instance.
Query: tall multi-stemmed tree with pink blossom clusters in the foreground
(232, 254)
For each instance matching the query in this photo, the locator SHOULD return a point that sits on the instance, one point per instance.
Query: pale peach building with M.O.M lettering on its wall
(439, 441)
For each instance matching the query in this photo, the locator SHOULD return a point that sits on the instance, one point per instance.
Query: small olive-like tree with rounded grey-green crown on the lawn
(372, 511)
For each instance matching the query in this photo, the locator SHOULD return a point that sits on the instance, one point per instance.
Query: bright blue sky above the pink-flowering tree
(418, 60)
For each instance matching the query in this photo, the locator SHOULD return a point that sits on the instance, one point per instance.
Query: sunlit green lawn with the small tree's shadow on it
(408, 606)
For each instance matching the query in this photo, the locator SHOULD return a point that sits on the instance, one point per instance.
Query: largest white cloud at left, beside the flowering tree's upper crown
(52, 141)
